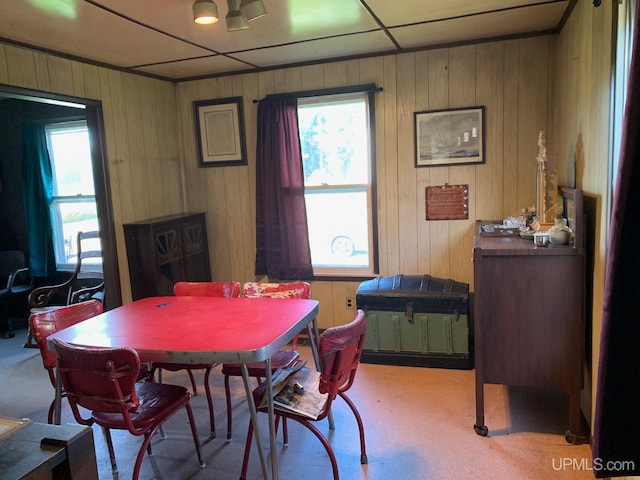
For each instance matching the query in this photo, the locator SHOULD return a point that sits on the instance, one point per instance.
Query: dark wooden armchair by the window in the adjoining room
(84, 283)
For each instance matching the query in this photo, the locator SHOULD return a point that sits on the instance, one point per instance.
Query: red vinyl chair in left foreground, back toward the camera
(104, 381)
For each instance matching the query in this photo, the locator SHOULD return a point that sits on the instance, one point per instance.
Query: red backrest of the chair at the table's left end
(51, 320)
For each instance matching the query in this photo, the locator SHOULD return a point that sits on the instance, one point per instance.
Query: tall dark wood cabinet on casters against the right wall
(529, 313)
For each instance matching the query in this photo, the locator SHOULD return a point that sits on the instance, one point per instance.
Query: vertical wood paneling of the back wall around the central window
(510, 78)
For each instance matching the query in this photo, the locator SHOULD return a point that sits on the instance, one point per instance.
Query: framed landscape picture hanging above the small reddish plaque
(449, 137)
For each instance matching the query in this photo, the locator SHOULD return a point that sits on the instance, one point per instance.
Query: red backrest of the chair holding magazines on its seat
(340, 349)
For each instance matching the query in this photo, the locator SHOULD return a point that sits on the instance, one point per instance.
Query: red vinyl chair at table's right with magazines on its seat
(340, 349)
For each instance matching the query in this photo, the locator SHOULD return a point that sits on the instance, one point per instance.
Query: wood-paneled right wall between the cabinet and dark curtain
(582, 82)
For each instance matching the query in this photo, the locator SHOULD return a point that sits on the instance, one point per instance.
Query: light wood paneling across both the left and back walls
(153, 160)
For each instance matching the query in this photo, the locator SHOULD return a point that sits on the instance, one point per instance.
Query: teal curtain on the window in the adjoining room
(37, 192)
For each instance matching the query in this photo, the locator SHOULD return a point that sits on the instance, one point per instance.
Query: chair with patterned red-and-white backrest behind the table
(283, 358)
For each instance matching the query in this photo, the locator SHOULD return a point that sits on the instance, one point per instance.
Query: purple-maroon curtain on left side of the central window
(282, 240)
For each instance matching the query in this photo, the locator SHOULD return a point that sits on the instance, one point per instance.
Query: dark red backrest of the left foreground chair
(99, 379)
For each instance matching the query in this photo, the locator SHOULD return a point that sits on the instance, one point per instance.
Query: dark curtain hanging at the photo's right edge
(616, 436)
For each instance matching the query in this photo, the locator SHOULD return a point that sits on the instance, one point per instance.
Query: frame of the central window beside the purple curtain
(347, 273)
